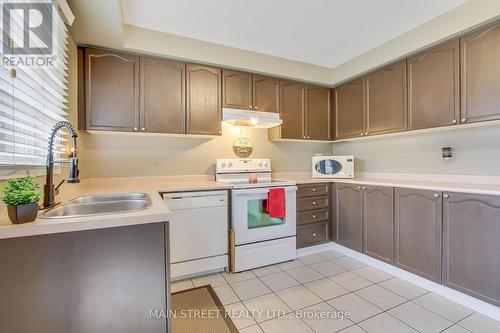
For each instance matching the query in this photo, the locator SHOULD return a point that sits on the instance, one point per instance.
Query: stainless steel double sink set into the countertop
(101, 204)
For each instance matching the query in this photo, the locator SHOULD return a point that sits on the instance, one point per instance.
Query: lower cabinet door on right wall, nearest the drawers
(348, 216)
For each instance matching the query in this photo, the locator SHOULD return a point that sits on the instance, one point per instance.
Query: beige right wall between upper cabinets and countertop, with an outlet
(476, 152)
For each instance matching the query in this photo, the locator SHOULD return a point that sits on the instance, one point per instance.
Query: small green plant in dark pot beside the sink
(21, 196)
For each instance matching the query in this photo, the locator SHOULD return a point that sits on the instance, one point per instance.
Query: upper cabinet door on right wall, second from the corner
(386, 109)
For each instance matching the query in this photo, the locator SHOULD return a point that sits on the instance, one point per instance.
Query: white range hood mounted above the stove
(255, 119)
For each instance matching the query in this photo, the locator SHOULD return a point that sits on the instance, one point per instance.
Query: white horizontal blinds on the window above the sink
(33, 88)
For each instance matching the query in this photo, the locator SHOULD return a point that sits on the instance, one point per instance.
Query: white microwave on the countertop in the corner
(333, 166)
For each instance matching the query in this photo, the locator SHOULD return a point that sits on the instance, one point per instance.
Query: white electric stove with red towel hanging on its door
(257, 239)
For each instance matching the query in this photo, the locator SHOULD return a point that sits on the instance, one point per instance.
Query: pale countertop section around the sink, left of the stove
(153, 186)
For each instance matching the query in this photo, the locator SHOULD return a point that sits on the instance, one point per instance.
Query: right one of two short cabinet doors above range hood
(266, 92)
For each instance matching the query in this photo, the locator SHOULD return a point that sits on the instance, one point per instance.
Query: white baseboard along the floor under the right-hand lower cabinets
(451, 294)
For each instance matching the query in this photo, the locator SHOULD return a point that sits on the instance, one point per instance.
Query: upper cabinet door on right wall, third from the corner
(433, 87)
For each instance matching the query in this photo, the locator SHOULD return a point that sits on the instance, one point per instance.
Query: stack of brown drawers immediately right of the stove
(313, 214)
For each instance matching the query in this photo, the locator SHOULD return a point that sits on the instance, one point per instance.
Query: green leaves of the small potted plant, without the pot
(21, 191)
